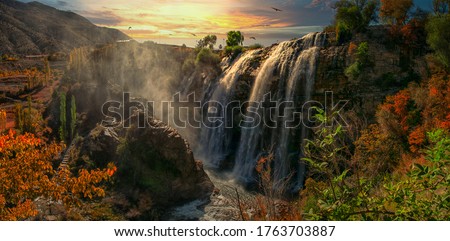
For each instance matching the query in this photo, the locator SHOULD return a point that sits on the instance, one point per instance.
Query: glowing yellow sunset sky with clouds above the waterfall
(177, 21)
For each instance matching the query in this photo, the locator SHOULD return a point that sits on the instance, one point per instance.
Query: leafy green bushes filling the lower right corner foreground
(341, 193)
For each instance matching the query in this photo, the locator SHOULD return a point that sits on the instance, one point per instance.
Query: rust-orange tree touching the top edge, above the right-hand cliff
(395, 12)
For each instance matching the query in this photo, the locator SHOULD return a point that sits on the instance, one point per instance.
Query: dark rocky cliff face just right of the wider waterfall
(384, 77)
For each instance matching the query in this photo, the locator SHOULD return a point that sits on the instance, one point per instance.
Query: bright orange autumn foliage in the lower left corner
(27, 173)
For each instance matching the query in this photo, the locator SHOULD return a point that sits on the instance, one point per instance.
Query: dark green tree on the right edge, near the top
(438, 28)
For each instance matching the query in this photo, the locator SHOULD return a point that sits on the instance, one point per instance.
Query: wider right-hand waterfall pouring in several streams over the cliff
(293, 65)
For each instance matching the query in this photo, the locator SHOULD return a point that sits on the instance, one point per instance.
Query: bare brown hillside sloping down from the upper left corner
(35, 28)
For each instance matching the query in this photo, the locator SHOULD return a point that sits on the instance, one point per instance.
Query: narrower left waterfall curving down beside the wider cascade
(216, 139)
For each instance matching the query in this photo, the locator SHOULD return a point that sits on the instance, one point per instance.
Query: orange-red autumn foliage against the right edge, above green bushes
(419, 109)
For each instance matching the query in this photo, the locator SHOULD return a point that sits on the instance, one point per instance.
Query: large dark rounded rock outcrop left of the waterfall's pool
(156, 168)
